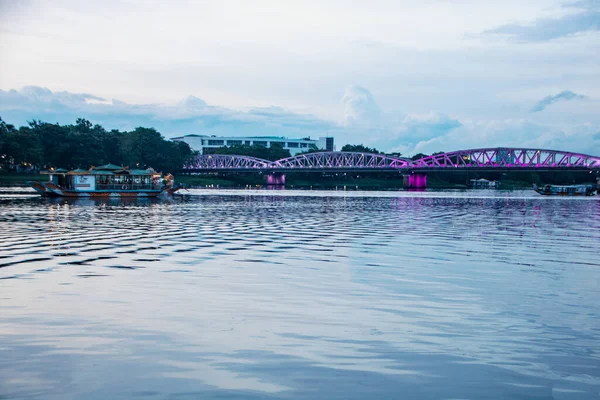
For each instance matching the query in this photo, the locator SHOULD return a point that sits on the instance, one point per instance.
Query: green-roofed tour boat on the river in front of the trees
(105, 181)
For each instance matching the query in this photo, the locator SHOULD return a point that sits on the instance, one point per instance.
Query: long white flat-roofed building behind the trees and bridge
(295, 146)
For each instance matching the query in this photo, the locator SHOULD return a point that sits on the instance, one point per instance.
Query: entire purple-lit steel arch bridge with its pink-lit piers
(414, 171)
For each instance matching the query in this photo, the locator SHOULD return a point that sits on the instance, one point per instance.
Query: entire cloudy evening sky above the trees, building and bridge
(434, 75)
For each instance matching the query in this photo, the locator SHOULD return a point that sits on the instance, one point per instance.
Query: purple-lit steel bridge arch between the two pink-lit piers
(340, 160)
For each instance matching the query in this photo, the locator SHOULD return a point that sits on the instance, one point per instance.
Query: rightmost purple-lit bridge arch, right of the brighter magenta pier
(505, 157)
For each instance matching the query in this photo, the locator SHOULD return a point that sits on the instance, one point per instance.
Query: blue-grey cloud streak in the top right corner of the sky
(587, 19)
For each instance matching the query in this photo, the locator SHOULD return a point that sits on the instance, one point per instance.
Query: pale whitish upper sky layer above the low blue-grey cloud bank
(415, 56)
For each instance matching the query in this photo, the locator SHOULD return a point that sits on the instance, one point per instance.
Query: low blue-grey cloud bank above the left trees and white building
(191, 115)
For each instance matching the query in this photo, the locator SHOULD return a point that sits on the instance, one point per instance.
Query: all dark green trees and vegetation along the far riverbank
(27, 150)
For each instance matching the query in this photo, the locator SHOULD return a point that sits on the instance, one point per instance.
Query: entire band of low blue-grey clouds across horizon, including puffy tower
(367, 123)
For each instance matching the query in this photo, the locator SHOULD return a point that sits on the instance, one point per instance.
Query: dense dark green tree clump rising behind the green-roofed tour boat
(42, 145)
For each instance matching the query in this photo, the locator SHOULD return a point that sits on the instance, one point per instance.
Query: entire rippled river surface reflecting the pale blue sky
(301, 295)
